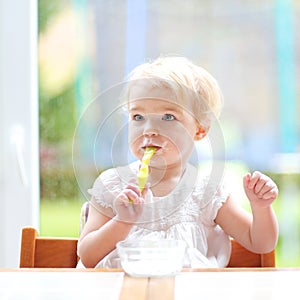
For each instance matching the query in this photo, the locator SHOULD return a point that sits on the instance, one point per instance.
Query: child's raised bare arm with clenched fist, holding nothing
(259, 232)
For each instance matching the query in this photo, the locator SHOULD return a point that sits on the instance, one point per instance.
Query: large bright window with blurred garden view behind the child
(87, 47)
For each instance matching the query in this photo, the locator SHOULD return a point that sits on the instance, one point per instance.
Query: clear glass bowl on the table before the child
(151, 258)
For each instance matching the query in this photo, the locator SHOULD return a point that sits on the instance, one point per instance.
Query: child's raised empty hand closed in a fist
(260, 189)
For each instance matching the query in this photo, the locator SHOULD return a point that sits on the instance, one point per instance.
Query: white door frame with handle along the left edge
(19, 155)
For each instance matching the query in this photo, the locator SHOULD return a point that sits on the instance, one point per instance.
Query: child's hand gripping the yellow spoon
(129, 203)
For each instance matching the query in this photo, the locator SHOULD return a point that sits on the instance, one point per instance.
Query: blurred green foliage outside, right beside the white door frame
(57, 122)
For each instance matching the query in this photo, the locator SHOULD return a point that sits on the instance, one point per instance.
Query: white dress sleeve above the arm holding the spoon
(105, 189)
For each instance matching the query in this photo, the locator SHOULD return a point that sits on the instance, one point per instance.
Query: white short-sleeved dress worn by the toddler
(186, 214)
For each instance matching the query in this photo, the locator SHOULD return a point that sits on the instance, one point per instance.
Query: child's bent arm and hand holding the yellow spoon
(101, 232)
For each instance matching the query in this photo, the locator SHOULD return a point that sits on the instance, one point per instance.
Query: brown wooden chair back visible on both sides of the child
(54, 252)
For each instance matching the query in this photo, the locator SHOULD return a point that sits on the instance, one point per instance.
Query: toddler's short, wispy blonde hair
(186, 80)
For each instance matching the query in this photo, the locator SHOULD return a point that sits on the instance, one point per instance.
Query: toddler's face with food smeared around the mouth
(156, 119)
